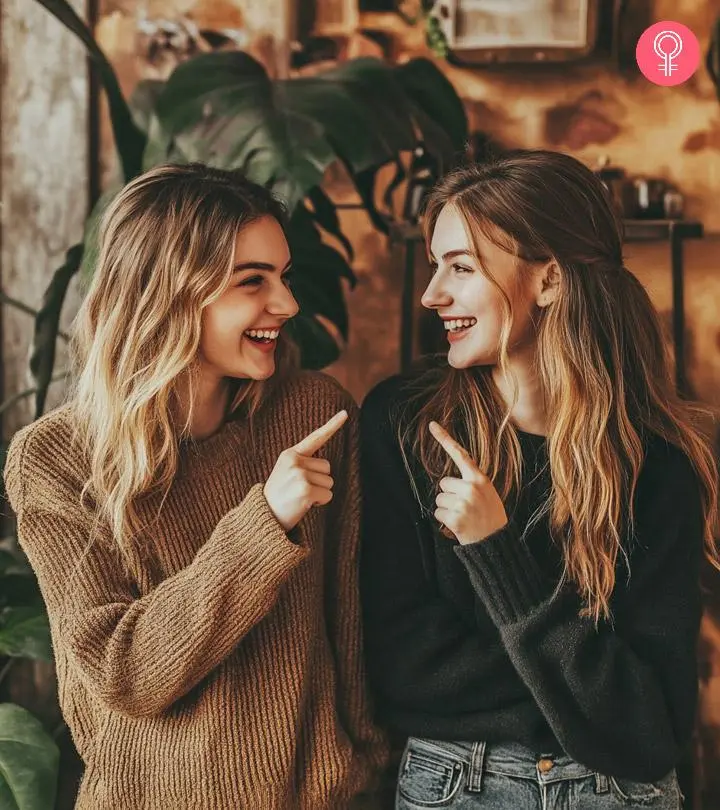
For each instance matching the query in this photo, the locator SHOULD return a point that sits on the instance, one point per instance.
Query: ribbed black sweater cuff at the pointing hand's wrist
(505, 575)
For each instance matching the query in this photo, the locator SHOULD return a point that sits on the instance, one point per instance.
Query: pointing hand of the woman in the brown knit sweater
(299, 481)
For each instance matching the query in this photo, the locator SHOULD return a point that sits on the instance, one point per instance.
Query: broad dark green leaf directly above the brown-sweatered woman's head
(222, 108)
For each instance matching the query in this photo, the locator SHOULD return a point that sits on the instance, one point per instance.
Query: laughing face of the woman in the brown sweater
(240, 328)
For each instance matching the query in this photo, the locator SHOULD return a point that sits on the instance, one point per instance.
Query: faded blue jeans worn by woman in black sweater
(470, 776)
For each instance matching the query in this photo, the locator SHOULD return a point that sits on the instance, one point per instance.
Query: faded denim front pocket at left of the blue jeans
(427, 779)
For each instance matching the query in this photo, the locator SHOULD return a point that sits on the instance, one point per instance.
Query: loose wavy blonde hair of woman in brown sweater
(166, 252)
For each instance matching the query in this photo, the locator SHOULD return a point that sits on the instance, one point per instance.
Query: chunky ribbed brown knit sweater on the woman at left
(225, 670)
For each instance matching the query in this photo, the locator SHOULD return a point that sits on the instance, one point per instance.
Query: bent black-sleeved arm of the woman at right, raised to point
(620, 699)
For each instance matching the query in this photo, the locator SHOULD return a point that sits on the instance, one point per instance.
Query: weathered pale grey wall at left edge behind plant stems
(43, 170)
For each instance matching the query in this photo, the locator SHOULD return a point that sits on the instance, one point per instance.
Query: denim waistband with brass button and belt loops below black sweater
(508, 759)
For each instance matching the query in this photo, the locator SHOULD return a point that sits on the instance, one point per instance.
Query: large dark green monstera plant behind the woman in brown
(222, 108)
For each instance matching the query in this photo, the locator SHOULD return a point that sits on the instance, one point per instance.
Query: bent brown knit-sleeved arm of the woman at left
(140, 655)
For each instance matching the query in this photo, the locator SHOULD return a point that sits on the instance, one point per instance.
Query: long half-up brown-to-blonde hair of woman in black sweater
(601, 359)
